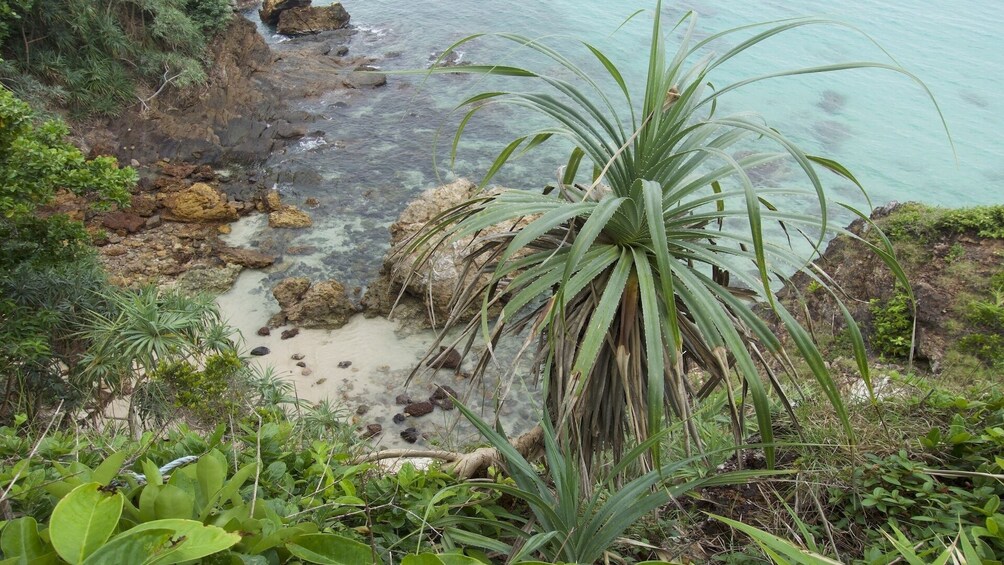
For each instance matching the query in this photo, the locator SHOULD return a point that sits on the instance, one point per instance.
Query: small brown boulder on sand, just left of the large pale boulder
(322, 306)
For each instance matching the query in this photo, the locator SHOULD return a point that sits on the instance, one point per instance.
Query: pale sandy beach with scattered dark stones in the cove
(382, 360)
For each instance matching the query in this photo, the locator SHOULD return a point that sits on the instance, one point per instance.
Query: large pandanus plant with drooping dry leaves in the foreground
(663, 262)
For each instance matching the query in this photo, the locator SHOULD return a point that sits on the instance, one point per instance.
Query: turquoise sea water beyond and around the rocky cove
(377, 153)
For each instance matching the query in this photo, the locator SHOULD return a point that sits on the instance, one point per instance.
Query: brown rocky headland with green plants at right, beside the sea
(947, 267)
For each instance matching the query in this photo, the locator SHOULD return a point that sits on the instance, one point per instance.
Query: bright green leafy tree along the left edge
(49, 278)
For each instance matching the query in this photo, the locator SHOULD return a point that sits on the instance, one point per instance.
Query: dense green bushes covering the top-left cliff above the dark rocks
(94, 58)
